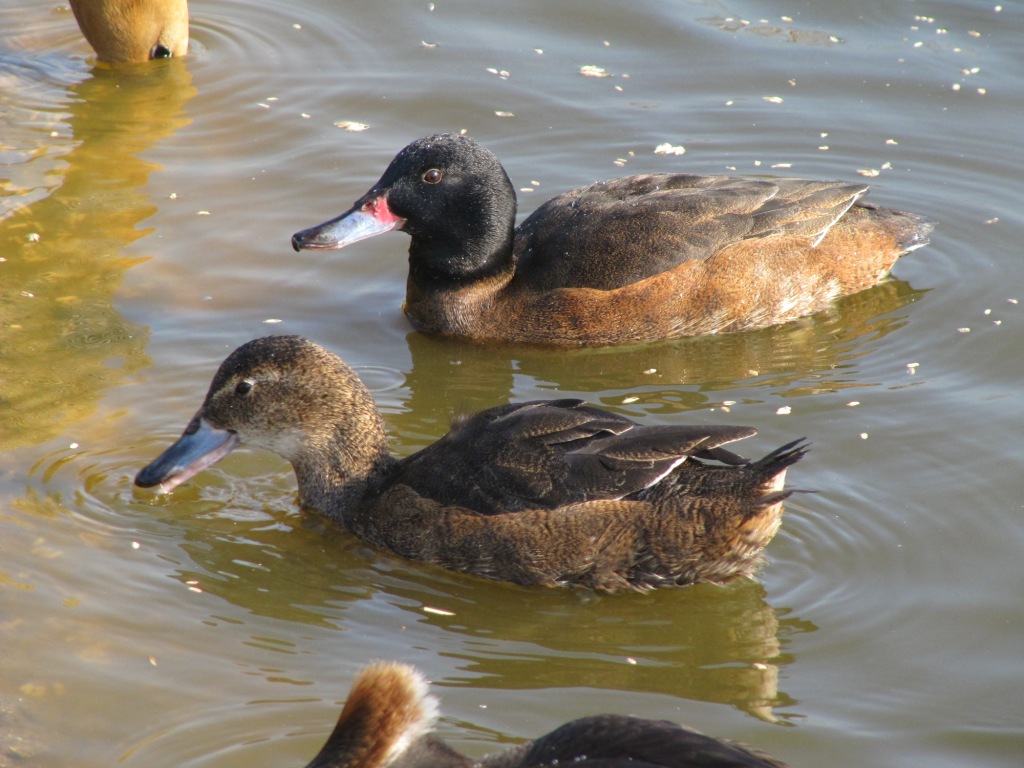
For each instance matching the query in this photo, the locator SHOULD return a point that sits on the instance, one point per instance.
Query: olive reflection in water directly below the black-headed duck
(812, 356)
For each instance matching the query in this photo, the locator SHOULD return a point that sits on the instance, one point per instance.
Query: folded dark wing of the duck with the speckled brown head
(548, 454)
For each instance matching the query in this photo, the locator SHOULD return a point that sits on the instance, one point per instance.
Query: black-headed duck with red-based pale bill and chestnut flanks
(633, 260)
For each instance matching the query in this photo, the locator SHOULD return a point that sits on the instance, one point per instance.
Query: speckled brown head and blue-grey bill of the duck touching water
(291, 397)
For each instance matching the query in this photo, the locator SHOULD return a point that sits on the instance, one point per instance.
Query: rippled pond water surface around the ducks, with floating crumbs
(145, 219)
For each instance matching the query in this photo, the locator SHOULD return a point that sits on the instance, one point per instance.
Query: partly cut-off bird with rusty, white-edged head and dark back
(390, 714)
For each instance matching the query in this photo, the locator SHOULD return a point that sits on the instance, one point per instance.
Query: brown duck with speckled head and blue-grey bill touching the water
(543, 493)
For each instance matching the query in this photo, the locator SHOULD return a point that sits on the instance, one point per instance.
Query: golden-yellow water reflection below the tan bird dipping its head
(62, 340)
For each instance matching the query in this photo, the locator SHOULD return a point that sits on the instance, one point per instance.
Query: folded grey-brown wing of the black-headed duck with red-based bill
(613, 234)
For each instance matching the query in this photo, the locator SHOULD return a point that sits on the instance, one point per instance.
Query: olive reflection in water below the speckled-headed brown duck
(717, 645)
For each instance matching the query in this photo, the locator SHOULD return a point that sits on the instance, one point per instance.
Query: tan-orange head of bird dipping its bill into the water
(135, 30)
